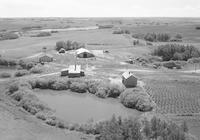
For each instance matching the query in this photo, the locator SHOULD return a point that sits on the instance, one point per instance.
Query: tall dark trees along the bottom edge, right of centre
(153, 129)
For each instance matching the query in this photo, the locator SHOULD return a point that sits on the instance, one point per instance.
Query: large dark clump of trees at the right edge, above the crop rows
(176, 52)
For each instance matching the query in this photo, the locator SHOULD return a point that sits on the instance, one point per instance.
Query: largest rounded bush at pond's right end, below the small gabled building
(136, 98)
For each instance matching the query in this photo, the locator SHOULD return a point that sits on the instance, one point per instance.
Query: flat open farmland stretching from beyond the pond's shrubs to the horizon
(176, 93)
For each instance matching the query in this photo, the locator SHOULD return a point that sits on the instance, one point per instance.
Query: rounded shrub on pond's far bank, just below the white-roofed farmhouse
(78, 87)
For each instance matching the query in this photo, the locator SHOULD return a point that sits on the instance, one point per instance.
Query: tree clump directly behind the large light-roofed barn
(68, 45)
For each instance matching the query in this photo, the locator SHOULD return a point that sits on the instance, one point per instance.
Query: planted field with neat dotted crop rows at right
(175, 97)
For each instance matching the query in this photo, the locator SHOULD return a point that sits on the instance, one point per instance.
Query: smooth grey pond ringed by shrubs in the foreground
(80, 108)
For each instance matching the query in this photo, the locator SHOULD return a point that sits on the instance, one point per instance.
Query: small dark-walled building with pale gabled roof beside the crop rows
(129, 80)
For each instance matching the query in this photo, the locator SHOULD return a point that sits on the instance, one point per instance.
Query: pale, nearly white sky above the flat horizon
(99, 8)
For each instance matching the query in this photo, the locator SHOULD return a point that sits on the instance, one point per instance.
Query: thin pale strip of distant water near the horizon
(67, 29)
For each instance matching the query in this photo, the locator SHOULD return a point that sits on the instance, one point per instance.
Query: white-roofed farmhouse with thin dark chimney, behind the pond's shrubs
(75, 71)
